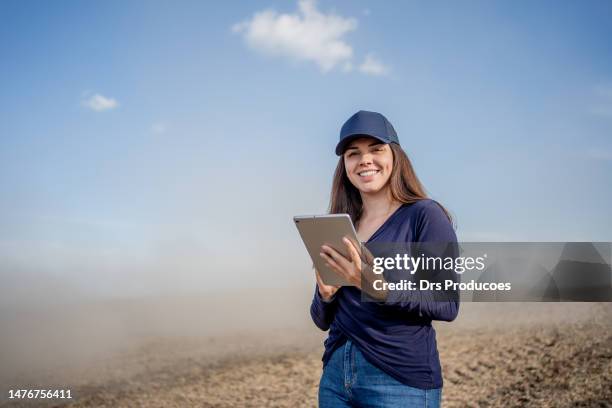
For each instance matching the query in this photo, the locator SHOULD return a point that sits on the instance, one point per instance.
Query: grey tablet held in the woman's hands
(317, 230)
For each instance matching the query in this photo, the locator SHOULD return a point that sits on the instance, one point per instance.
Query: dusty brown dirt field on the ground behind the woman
(498, 355)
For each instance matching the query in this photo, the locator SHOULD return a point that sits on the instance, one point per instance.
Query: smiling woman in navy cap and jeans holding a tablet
(379, 354)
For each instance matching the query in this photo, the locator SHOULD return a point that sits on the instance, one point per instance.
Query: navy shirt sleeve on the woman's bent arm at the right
(432, 226)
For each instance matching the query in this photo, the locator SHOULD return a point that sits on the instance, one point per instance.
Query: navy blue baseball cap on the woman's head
(365, 123)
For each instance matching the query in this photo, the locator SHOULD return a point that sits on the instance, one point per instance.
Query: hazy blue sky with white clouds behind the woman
(148, 145)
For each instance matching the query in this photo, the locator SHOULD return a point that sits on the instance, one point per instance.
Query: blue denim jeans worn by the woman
(349, 380)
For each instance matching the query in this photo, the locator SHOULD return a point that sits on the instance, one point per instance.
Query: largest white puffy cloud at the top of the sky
(307, 35)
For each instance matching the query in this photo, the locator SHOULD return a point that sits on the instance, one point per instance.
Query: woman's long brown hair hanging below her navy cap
(404, 185)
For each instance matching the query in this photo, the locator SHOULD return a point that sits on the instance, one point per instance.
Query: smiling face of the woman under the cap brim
(368, 164)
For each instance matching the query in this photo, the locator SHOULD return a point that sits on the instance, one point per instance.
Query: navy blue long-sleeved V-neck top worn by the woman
(397, 336)
